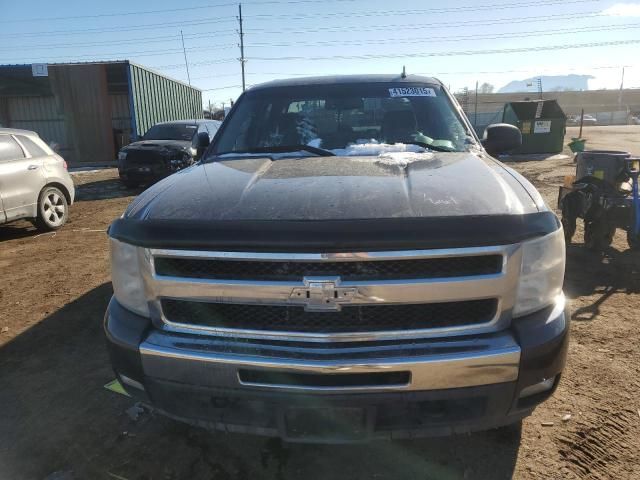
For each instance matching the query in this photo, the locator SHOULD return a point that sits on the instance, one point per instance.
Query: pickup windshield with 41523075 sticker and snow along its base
(344, 119)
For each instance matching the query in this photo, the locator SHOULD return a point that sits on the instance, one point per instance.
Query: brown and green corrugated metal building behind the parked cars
(90, 110)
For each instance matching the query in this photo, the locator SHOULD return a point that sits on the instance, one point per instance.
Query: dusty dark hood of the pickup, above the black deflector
(398, 185)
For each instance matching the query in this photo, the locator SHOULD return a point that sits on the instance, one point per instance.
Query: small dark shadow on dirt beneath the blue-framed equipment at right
(601, 273)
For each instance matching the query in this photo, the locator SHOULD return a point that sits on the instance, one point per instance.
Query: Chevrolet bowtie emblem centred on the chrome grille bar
(322, 294)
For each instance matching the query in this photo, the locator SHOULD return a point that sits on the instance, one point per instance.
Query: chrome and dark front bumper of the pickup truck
(453, 385)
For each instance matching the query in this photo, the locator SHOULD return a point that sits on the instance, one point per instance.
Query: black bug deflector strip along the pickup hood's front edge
(334, 235)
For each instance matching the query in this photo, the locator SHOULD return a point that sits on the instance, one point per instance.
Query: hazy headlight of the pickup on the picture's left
(126, 278)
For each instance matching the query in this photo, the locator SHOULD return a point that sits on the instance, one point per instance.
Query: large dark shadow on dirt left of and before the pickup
(58, 419)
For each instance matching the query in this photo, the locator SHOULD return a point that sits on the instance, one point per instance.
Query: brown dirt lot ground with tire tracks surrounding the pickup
(58, 422)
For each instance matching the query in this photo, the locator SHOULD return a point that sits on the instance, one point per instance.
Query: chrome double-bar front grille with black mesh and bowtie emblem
(369, 295)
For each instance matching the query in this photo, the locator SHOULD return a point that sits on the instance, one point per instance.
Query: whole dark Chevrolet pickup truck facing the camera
(347, 262)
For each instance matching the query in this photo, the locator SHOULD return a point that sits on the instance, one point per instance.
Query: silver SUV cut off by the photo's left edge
(34, 181)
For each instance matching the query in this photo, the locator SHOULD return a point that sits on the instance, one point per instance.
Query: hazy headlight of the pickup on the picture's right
(541, 274)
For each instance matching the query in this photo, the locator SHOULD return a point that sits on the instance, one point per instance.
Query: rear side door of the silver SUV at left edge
(21, 179)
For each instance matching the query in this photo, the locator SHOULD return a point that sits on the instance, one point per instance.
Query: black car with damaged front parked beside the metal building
(165, 148)
